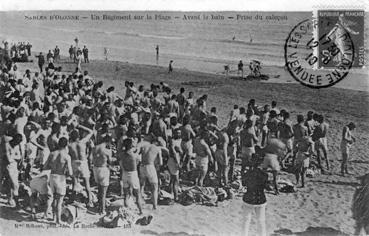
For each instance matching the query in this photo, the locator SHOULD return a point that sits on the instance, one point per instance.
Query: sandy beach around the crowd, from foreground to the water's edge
(321, 208)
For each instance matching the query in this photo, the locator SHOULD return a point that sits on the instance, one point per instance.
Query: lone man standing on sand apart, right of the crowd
(347, 140)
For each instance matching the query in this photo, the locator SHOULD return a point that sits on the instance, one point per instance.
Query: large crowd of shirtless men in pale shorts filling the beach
(68, 125)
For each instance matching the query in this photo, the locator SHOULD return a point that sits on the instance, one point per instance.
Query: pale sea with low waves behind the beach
(199, 41)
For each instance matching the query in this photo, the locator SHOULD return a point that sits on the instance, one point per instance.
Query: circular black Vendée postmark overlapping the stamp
(305, 52)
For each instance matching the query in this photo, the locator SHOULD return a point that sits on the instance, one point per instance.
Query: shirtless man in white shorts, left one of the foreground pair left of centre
(128, 161)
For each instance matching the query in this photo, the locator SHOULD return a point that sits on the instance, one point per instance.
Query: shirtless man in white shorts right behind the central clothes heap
(203, 157)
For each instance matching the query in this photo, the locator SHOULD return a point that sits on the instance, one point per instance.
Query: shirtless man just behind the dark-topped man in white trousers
(248, 142)
